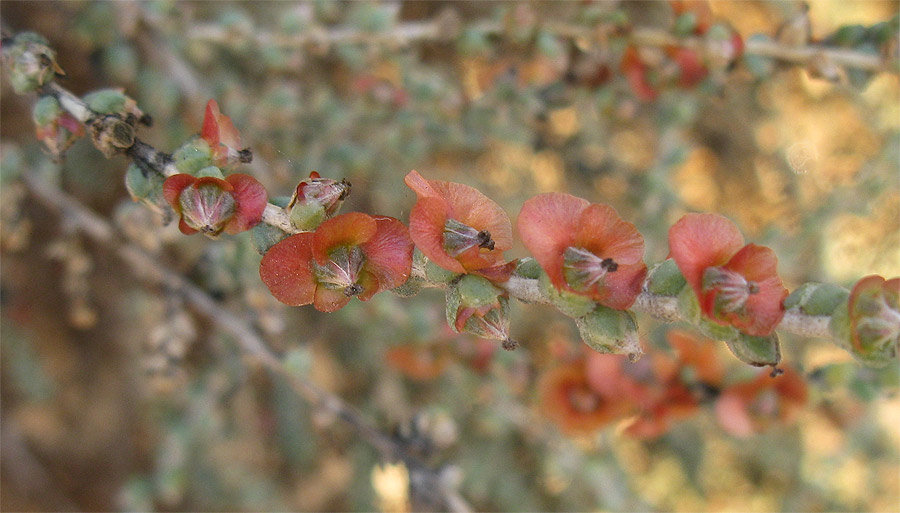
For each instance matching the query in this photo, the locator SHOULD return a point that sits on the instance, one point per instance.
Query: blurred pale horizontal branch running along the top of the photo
(439, 29)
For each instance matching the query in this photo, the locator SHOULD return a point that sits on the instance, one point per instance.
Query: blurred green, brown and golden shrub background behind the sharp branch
(119, 396)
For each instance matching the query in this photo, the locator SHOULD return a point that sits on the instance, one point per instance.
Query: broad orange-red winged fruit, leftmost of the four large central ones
(349, 255)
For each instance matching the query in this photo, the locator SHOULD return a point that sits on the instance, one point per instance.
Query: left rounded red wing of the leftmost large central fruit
(286, 270)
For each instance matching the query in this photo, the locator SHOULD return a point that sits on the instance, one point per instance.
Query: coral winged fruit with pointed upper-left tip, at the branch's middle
(459, 228)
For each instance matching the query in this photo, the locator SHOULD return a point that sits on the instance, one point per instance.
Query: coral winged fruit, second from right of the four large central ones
(584, 248)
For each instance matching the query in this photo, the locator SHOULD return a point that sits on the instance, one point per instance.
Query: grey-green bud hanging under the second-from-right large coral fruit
(606, 330)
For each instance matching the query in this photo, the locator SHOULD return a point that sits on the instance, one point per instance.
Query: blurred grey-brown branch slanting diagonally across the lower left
(150, 270)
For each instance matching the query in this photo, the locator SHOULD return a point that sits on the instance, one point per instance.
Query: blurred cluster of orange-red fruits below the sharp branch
(650, 396)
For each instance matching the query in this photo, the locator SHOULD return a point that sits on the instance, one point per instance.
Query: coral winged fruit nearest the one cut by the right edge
(736, 284)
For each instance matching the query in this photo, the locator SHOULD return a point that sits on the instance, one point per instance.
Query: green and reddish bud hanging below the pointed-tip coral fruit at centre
(476, 306)
